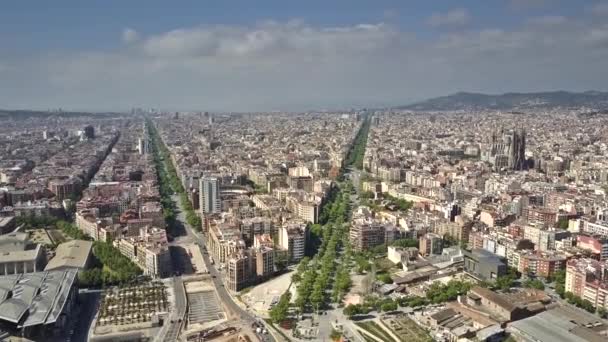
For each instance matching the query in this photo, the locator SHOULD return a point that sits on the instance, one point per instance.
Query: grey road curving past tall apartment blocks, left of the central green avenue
(192, 237)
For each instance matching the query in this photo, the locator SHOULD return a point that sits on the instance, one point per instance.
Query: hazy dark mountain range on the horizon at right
(513, 101)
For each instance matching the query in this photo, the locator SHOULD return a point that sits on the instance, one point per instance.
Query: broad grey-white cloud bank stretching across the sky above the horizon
(295, 65)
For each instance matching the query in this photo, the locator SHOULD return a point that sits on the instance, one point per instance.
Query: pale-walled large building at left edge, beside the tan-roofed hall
(19, 255)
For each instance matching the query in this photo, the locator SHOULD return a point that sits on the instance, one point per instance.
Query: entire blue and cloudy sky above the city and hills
(263, 55)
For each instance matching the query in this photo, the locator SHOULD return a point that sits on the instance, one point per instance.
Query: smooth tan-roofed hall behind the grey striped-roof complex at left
(71, 254)
